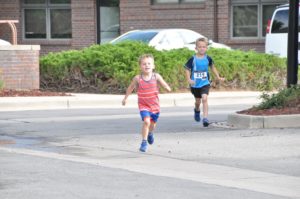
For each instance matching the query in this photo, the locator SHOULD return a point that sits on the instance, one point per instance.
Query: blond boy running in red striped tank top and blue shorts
(147, 87)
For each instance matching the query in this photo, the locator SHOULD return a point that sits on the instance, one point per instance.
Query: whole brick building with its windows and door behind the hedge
(73, 24)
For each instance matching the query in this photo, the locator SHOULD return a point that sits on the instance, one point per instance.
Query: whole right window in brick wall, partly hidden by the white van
(249, 18)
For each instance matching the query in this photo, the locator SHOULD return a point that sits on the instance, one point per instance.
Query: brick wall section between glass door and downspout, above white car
(140, 14)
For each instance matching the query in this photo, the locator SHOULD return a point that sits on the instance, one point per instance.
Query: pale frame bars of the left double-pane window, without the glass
(47, 6)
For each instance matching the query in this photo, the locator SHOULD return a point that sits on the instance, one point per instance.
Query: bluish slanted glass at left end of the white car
(138, 36)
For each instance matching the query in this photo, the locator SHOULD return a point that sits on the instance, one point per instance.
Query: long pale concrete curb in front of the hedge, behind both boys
(114, 101)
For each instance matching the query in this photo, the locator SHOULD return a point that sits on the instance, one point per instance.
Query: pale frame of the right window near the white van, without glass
(260, 4)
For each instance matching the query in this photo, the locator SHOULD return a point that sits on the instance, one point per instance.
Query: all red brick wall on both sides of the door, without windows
(134, 14)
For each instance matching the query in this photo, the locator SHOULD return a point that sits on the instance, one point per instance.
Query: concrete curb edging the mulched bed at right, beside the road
(255, 122)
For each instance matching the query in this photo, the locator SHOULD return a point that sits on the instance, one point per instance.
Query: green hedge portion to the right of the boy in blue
(250, 70)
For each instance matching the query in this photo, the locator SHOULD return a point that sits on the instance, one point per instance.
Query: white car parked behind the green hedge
(166, 39)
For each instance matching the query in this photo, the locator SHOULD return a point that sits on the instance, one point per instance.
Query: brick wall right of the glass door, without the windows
(140, 14)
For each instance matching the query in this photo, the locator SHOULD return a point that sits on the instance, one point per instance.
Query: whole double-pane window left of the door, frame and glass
(47, 19)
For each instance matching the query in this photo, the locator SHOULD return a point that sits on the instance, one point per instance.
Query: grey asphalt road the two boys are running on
(93, 153)
